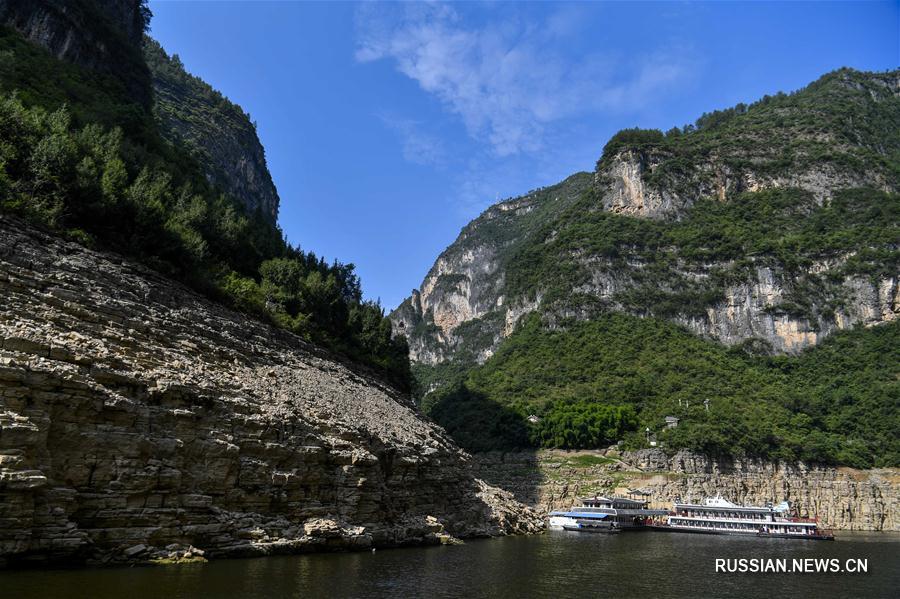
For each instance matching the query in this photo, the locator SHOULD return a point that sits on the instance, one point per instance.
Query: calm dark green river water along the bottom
(557, 564)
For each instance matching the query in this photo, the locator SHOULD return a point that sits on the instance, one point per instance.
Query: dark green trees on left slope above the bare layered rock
(79, 156)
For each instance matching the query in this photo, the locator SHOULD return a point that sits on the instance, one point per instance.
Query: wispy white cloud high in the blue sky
(510, 80)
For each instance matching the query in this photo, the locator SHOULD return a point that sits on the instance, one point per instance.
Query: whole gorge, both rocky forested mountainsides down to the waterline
(178, 382)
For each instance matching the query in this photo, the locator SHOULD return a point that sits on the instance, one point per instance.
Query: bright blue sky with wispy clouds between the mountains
(388, 127)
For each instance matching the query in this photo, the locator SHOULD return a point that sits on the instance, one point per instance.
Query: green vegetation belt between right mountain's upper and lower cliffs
(784, 228)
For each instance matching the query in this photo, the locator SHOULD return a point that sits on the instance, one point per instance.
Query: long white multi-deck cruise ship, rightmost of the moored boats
(719, 516)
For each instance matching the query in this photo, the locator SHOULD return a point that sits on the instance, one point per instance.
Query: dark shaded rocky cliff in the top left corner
(104, 35)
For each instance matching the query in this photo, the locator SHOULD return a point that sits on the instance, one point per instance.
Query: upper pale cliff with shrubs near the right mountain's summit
(663, 180)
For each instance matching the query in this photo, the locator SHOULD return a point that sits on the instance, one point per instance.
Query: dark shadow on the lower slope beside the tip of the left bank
(497, 436)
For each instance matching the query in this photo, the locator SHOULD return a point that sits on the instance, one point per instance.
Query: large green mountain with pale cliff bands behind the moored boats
(750, 259)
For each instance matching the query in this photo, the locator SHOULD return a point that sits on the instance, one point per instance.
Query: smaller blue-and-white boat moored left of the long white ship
(605, 514)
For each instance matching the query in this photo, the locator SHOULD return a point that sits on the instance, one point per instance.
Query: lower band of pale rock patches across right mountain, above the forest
(433, 317)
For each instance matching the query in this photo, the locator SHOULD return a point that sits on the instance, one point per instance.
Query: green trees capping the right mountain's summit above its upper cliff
(845, 120)
